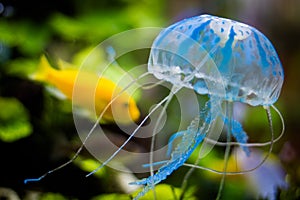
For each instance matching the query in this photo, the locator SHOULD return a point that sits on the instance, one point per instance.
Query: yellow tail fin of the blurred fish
(43, 70)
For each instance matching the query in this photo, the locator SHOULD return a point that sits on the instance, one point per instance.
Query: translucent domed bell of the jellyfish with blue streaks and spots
(249, 67)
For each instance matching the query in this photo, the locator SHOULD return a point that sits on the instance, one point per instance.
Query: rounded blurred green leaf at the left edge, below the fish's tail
(14, 120)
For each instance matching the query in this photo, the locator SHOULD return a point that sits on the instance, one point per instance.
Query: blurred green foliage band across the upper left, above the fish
(85, 28)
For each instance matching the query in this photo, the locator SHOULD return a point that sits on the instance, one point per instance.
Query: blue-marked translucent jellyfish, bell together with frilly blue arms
(227, 60)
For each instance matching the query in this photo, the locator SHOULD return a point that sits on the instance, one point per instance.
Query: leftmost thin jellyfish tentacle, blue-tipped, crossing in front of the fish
(88, 135)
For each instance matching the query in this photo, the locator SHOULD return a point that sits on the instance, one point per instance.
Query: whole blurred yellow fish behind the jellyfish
(122, 110)
